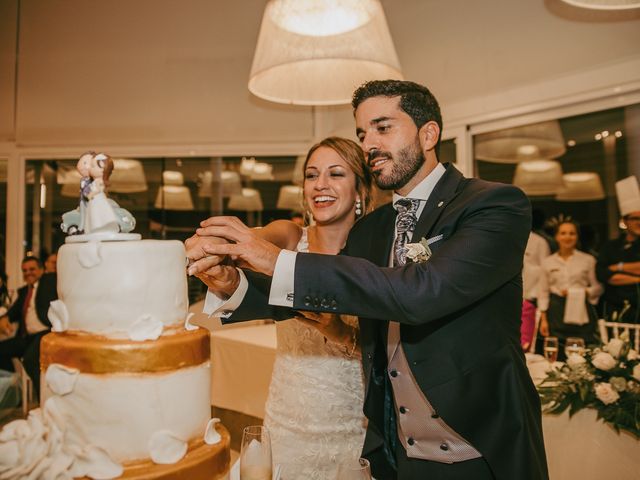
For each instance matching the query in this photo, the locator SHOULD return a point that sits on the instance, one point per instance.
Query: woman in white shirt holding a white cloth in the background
(568, 289)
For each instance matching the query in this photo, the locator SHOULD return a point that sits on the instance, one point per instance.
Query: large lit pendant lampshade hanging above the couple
(317, 52)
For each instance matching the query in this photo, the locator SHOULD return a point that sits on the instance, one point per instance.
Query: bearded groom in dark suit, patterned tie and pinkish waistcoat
(448, 394)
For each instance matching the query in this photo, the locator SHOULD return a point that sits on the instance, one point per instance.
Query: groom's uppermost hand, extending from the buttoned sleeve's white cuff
(248, 250)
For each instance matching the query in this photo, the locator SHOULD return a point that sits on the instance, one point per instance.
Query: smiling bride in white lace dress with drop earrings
(314, 408)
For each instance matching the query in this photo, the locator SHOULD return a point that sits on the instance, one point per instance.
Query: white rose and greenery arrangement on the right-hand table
(606, 379)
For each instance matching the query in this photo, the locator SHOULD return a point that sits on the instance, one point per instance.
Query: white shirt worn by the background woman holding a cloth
(558, 275)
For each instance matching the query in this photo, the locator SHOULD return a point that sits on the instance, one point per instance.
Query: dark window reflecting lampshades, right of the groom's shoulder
(567, 166)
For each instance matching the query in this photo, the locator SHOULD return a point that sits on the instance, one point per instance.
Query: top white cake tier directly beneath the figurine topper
(106, 287)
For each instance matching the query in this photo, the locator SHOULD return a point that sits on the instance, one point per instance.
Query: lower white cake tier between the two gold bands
(123, 413)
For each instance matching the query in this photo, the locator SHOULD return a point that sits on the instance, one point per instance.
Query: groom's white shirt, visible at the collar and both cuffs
(281, 292)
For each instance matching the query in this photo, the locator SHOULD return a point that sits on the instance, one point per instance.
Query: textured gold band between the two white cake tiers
(102, 355)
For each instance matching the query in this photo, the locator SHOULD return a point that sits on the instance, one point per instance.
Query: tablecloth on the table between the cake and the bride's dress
(241, 366)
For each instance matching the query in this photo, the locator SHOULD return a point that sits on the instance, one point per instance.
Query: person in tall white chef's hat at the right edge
(618, 266)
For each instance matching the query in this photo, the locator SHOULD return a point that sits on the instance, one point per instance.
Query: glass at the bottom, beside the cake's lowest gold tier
(255, 454)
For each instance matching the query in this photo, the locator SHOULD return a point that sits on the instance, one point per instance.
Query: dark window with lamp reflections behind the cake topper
(167, 196)
